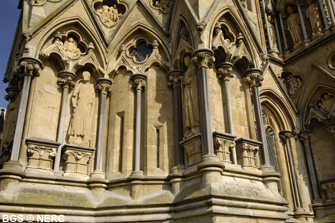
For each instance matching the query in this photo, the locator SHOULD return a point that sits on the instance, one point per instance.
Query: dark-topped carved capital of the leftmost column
(29, 66)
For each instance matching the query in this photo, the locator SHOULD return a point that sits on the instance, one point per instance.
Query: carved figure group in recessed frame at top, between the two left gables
(109, 11)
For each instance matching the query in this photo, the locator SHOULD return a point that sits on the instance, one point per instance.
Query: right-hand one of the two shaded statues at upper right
(313, 14)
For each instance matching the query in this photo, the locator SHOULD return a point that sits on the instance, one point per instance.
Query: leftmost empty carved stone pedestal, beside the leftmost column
(40, 155)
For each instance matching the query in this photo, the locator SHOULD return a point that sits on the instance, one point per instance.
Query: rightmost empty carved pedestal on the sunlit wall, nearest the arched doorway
(247, 153)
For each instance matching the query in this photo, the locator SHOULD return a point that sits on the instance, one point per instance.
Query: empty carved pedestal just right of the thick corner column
(223, 144)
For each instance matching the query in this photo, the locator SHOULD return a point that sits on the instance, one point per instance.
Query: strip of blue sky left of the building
(9, 15)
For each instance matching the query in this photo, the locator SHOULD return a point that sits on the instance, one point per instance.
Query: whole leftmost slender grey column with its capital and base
(29, 67)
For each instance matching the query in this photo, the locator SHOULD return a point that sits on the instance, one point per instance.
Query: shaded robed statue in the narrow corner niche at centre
(190, 99)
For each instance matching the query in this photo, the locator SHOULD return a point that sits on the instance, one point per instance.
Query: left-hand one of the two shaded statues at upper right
(293, 26)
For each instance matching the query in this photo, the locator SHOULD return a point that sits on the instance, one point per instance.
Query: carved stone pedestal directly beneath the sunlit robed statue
(77, 160)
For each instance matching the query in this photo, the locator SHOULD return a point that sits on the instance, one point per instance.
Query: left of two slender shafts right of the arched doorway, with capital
(285, 136)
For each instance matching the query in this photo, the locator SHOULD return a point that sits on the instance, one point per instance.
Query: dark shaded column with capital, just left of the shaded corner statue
(174, 81)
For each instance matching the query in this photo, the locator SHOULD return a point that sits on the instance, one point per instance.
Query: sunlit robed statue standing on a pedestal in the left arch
(83, 98)
